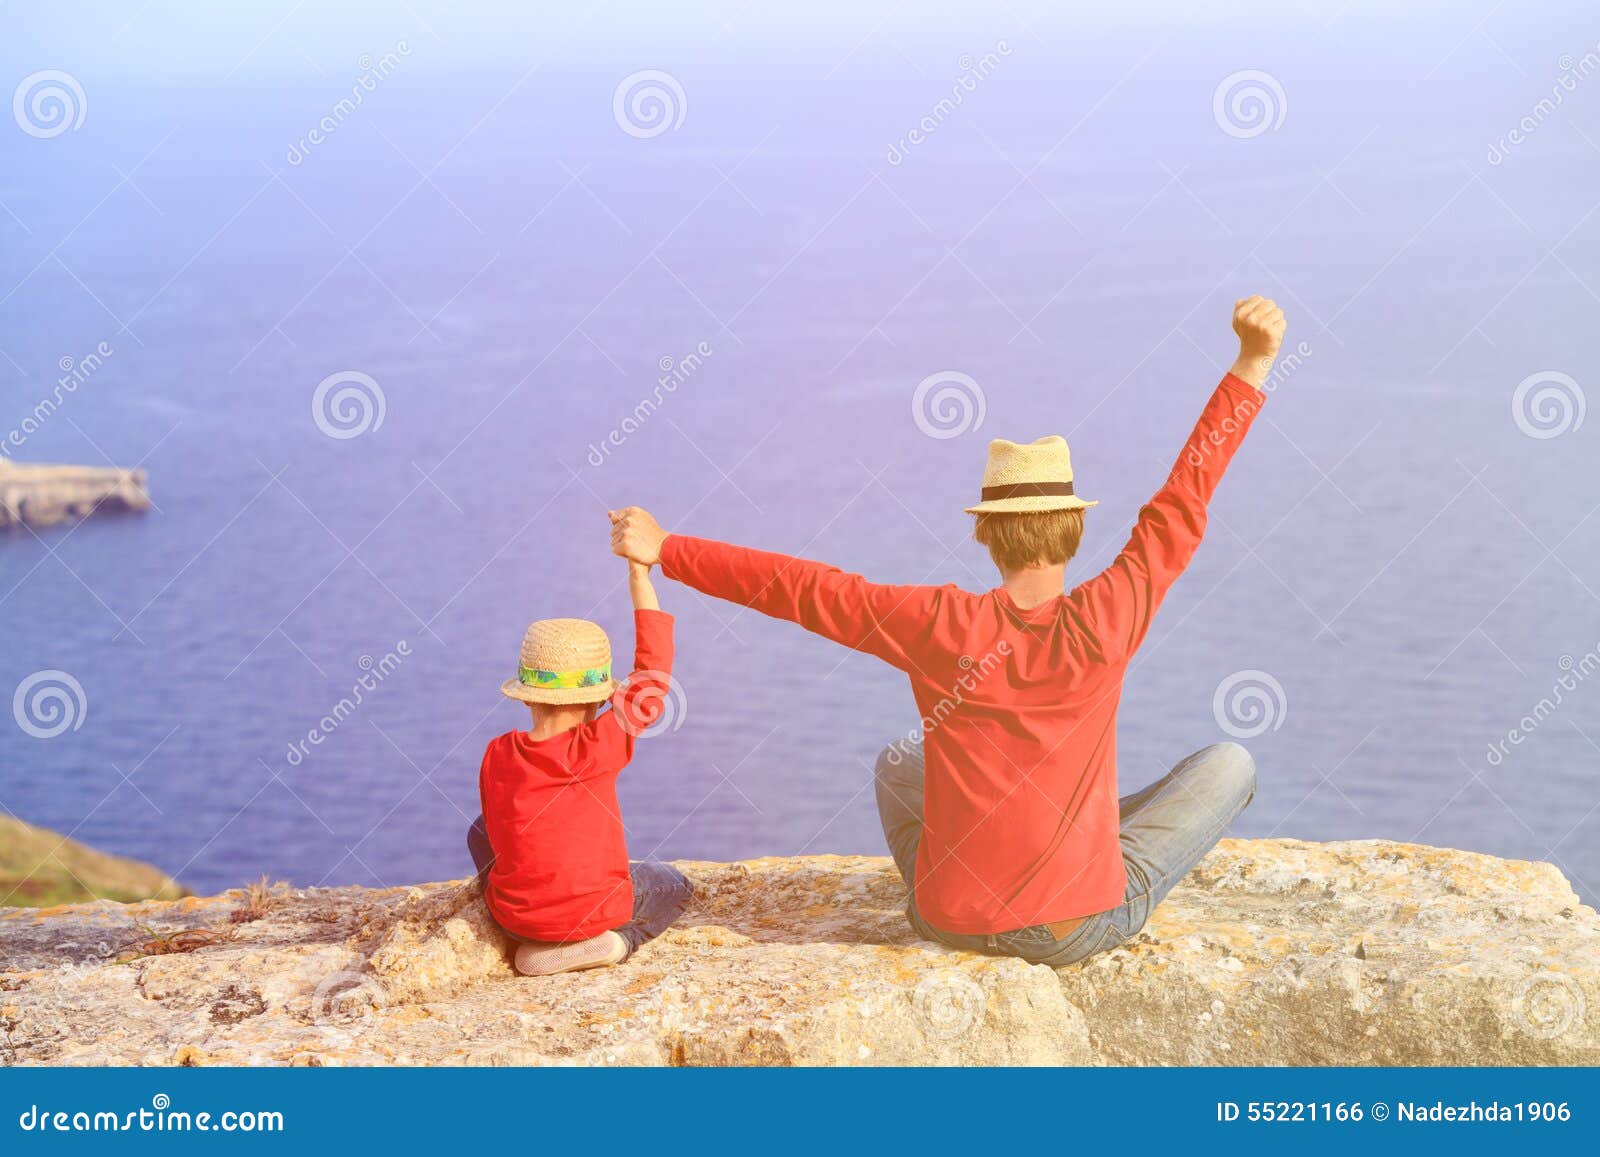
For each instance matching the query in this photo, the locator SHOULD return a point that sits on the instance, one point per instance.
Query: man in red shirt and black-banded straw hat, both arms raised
(1006, 819)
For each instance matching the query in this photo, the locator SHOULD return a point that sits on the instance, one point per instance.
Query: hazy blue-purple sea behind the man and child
(511, 268)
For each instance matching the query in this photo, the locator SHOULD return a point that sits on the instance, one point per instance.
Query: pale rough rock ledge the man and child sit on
(1271, 953)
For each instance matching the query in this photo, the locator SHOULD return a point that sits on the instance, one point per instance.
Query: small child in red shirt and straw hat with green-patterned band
(550, 846)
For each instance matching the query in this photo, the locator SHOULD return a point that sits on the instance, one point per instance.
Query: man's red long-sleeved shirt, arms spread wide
(1018, 708)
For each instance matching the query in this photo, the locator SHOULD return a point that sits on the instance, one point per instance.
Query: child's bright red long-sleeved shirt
(550, 807)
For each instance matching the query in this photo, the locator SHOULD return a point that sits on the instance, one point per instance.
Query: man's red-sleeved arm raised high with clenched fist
(1122, 599)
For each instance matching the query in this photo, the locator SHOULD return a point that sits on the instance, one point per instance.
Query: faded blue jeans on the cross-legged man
(1166, 831)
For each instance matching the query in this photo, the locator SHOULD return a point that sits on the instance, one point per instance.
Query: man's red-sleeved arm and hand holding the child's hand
(881, 620)
